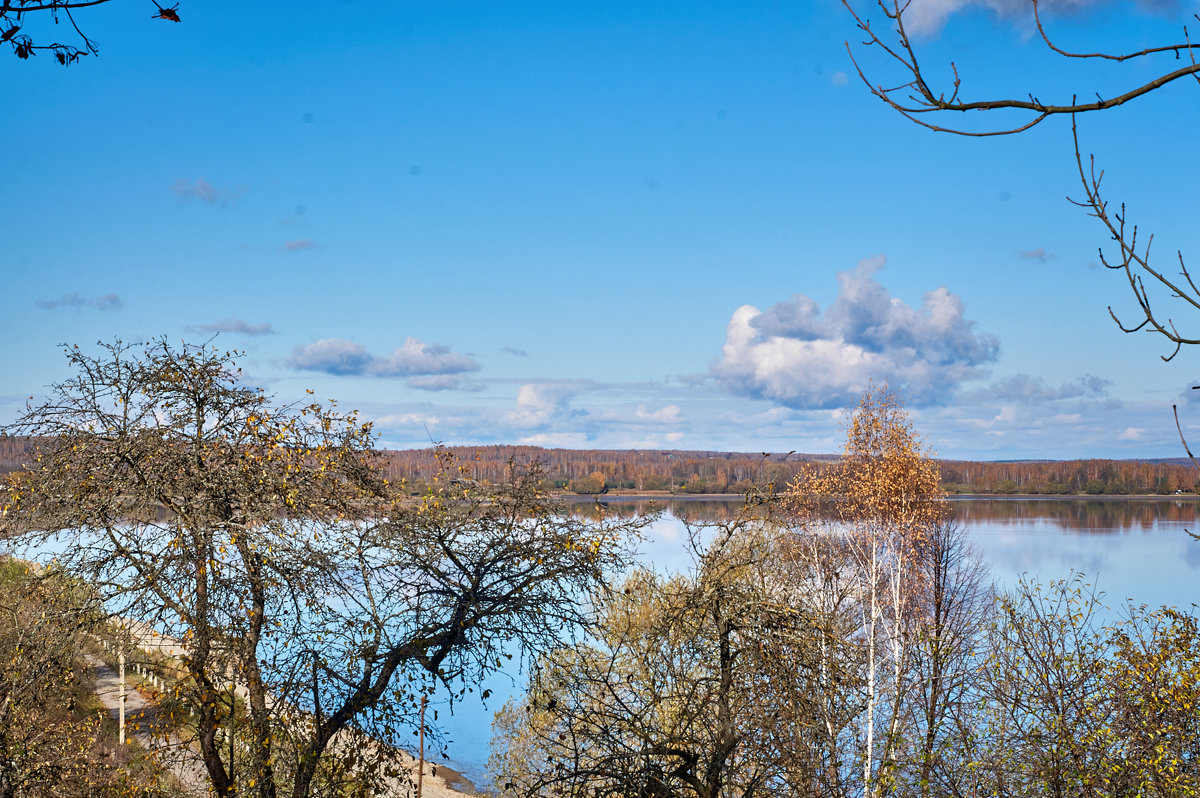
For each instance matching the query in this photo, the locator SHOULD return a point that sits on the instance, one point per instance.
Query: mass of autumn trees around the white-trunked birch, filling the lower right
(842, 640)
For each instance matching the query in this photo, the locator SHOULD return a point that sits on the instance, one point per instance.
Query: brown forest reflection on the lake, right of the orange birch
(1079, 515)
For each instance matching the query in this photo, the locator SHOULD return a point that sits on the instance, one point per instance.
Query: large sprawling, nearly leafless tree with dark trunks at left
(267, 543)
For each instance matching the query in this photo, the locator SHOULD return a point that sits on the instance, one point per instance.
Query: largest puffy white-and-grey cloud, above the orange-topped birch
(797, 355)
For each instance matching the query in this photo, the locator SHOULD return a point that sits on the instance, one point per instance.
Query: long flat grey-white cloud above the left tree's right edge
(416, 361)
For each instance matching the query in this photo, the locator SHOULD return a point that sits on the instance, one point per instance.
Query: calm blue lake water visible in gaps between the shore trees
(1130, 549)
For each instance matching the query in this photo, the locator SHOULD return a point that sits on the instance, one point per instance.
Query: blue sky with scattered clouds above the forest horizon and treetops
(619, 225)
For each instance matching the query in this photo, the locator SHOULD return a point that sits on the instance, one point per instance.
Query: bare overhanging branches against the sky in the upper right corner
(919, 98)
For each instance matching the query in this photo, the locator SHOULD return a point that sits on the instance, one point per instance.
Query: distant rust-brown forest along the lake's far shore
(601, 471)
